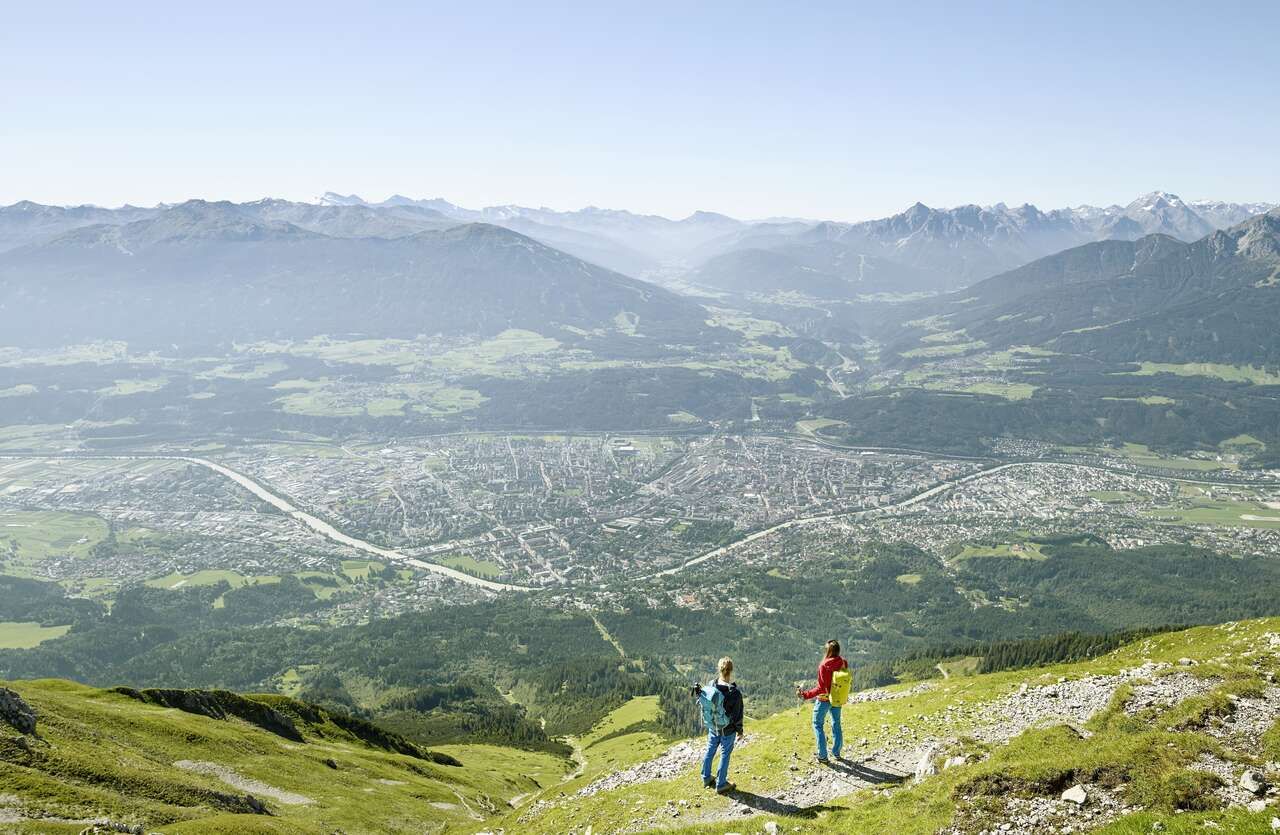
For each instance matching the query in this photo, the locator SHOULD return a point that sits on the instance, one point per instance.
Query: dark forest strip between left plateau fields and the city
(587, 400)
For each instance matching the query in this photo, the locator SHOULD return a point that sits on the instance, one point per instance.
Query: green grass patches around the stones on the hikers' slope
(1144, 755)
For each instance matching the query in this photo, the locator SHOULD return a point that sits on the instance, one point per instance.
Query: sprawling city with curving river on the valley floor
(380, 528)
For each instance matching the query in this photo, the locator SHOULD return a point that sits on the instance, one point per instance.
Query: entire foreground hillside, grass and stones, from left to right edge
(1168, 733)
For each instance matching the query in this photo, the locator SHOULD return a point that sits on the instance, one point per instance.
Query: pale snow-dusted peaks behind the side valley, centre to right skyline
(918, 250)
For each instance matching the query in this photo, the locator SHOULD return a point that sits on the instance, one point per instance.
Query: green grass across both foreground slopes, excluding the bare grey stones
(373, 791)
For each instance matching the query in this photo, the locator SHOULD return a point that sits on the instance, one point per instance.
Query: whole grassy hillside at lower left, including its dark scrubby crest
(209, 761)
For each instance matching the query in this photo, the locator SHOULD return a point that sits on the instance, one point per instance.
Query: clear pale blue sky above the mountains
(840, 111)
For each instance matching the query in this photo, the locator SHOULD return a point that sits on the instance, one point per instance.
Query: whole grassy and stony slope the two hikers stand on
(1008, 752)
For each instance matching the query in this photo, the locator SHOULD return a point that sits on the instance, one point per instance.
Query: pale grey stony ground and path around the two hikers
(954, 737)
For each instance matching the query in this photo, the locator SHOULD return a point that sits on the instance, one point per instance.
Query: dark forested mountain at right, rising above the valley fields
(1158, 299)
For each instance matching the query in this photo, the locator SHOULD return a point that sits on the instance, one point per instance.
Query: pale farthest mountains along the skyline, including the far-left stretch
(918, 250)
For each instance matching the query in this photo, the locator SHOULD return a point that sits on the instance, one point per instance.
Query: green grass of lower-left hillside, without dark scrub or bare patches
(111, 756)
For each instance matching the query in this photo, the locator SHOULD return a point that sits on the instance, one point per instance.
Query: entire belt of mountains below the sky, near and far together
(1141, 281)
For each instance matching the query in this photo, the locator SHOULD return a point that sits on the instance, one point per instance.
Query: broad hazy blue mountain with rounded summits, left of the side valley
(214, 272)
